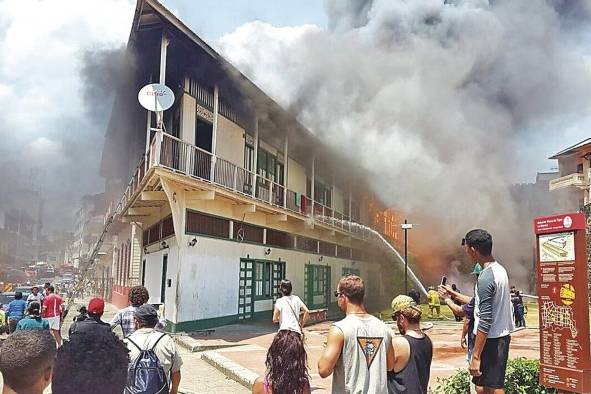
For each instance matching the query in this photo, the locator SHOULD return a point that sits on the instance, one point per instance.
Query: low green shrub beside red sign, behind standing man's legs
(521, 378)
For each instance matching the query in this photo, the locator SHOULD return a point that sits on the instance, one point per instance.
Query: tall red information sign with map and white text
(562, 284)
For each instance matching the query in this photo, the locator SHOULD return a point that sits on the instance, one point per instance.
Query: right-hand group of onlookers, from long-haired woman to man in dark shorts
(364, 355)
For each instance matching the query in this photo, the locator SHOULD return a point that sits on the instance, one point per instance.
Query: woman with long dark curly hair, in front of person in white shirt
(287, 367)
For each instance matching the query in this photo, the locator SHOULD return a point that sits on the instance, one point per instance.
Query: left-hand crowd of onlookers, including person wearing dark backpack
(93, 359)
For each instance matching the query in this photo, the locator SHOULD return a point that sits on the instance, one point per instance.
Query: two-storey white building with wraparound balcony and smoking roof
(229, 196)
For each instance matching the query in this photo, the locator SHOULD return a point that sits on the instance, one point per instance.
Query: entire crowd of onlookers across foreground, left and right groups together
(361, 352)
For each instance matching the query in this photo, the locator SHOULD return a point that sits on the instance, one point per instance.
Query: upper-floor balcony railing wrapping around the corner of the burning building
(179, 156)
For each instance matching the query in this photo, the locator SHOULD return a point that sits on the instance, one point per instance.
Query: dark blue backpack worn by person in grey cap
(145, 374)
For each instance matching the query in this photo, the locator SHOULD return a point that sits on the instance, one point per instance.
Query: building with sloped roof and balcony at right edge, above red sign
(574, 164)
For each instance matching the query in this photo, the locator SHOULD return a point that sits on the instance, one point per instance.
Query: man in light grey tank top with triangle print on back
(359, 349)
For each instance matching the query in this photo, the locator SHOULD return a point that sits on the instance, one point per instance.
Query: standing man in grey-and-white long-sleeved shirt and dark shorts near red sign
(493, 317)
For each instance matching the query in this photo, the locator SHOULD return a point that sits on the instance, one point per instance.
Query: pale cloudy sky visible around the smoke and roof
(49, 136)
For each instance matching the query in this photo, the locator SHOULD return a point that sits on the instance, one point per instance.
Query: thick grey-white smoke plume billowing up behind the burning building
(431, 99)
